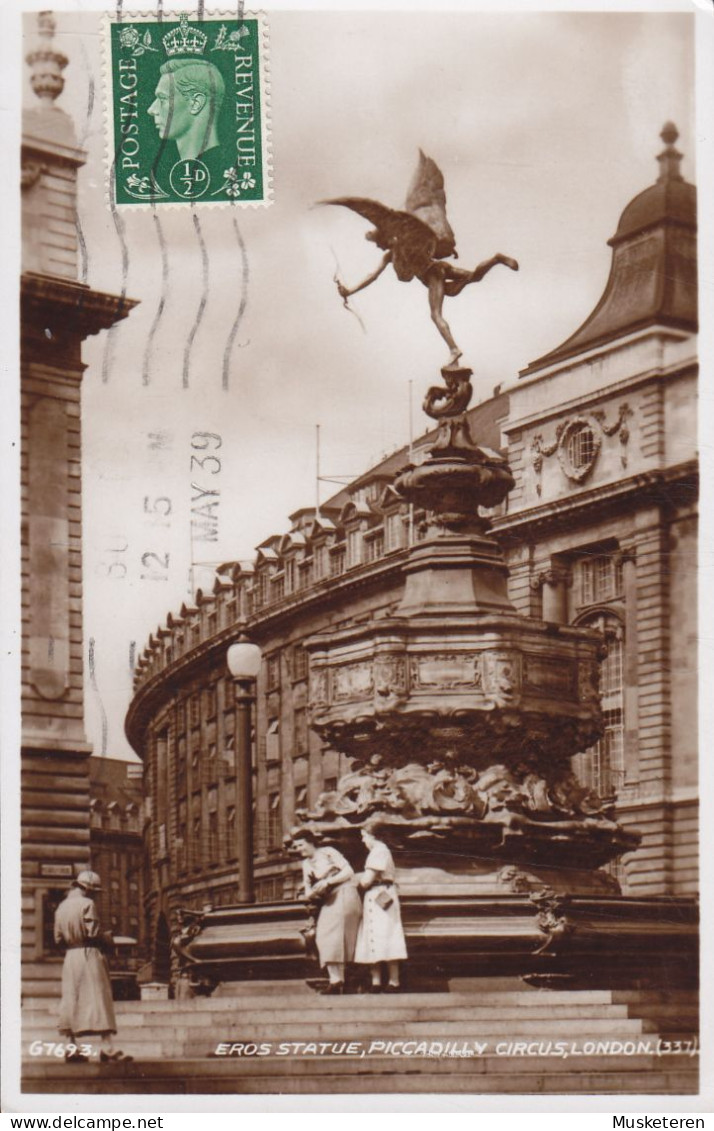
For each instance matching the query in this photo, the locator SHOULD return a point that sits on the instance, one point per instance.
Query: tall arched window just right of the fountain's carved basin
(603, 766)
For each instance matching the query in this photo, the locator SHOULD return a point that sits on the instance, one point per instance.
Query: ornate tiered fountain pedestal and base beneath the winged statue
(462, 718)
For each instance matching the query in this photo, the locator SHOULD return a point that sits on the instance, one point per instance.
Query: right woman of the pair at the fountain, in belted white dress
(381, 939)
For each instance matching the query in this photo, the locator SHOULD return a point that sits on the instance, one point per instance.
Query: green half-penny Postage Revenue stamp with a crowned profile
(188, 110)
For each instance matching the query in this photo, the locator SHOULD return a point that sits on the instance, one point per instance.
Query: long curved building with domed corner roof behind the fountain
(599, 531)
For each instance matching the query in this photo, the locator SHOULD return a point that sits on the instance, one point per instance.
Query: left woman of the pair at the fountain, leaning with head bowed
(330, 884)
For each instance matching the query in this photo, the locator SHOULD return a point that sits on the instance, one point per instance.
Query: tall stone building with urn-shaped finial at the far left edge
(58, 314)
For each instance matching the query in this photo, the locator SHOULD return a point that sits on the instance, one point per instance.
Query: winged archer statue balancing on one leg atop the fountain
(417, 241)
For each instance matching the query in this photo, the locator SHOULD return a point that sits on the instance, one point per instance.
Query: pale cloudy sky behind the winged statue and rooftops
(545, 125)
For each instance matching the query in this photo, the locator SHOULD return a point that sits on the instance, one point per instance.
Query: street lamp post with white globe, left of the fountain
(244, 661)
